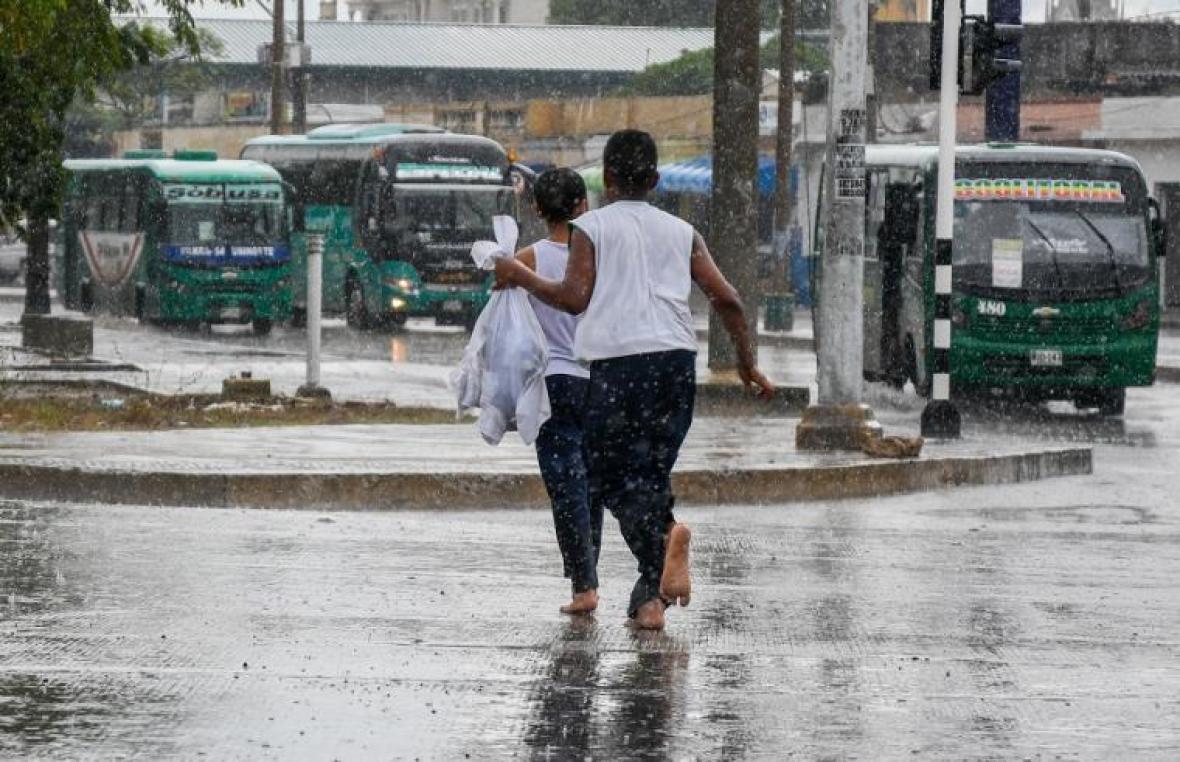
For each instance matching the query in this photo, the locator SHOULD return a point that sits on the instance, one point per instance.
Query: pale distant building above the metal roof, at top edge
(449, 11)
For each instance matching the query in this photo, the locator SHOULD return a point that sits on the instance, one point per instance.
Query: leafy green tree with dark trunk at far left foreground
(53, 54)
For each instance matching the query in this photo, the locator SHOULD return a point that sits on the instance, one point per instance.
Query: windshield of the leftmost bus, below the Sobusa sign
(251, 225)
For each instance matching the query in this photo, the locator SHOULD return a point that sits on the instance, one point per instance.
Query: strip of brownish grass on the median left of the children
(97, 410)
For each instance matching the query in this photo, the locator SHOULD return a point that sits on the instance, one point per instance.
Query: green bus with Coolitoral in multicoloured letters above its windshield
(1056, 286)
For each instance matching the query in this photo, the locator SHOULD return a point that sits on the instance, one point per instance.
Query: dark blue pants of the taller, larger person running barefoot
(638, 415)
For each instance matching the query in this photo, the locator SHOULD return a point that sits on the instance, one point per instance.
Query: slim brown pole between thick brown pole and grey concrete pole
(779, 307)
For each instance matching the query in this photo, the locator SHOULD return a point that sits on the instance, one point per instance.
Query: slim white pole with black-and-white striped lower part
(941, 419)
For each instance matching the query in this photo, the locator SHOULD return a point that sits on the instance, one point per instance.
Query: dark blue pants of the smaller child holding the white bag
(561, 454)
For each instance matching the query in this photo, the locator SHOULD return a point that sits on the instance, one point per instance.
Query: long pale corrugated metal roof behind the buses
(468, 47)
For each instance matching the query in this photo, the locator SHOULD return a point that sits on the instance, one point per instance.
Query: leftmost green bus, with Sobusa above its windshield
(187, 240)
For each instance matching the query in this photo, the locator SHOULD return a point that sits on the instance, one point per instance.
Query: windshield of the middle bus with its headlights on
(450, 212)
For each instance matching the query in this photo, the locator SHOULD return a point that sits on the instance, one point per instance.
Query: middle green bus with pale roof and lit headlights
(399, 207)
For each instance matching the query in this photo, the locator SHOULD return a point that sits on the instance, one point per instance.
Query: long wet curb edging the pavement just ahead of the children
(470, 491)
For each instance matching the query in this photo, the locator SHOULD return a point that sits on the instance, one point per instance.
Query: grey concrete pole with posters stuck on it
(840, 421)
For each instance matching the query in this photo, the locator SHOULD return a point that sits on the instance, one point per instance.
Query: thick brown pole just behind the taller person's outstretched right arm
(733, 220)
